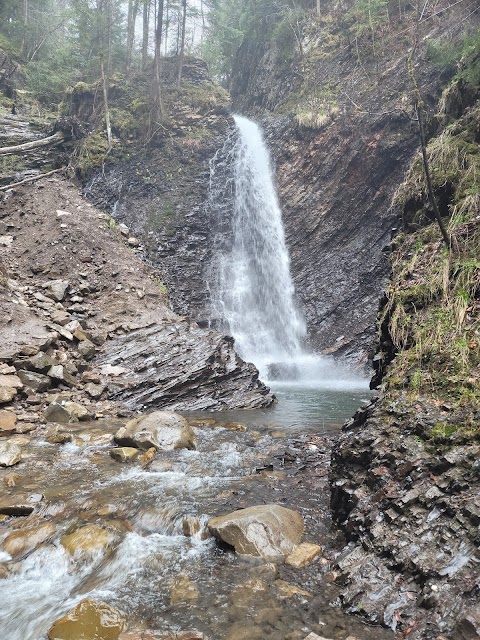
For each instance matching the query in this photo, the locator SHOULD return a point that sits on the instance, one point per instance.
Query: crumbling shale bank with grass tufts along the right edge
(404, 472)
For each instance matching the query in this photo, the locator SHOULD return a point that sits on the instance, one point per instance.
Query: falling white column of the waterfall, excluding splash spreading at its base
(254, 292)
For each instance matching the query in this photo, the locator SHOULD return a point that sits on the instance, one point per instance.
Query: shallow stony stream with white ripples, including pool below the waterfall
(162, 578)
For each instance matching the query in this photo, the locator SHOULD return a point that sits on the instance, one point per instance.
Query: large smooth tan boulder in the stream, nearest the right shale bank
(268, 531)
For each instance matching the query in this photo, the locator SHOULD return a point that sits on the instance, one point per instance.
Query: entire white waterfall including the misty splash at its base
(252, 290)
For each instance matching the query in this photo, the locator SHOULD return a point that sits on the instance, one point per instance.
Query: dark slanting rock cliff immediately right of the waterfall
(339, 127)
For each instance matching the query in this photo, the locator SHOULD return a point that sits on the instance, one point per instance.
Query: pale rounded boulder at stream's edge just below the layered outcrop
(163, 430)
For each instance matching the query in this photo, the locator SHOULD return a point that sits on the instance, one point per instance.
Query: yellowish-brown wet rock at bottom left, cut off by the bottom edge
(89, 619)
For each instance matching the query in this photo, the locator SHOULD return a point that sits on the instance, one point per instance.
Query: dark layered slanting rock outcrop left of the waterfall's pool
(202, 370)
